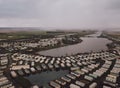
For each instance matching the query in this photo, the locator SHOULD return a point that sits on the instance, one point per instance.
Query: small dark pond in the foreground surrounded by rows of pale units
(44, 78)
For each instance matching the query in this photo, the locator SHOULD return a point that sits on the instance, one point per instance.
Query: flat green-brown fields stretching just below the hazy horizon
(41, 34)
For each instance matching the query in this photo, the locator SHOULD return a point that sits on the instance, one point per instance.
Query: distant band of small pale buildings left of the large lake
(30, 43)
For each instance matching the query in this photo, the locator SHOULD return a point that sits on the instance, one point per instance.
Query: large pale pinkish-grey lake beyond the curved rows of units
(91, 43)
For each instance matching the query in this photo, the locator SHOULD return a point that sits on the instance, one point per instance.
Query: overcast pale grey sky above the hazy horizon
(60, 13)
